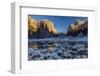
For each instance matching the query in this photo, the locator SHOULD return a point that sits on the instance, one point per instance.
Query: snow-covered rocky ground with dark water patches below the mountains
(53, 48)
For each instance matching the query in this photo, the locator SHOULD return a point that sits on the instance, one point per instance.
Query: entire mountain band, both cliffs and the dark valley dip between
(46, 28)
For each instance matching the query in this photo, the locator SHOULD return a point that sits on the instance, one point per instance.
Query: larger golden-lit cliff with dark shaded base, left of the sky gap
(40, 29)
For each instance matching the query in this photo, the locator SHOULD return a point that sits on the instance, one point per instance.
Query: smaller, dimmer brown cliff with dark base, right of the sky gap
(79, 28)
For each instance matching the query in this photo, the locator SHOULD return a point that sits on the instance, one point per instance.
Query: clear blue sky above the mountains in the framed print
(61, 22)
